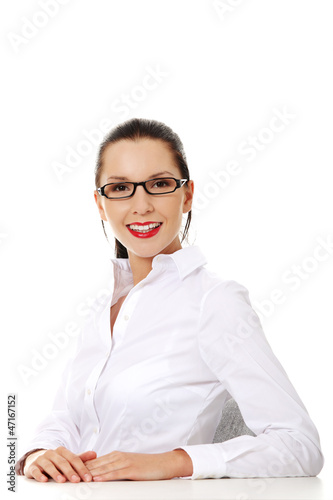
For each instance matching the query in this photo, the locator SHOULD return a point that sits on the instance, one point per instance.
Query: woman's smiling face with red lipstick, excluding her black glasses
(136, 161)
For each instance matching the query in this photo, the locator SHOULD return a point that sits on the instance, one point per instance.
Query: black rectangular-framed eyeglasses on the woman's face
(119, 190)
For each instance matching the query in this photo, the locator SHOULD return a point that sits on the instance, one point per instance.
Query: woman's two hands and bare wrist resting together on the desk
(62, 465)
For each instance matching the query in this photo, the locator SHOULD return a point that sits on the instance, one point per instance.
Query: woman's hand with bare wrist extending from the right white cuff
(140, 466)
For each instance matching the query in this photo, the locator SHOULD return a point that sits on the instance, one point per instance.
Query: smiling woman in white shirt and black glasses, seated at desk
(143, 395)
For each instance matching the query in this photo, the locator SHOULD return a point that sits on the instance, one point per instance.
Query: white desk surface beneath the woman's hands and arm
(309, 488)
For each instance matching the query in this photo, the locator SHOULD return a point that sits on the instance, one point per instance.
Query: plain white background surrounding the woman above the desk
(222, 75)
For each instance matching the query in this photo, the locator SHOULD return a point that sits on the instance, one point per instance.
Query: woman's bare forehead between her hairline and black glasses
(138, 159)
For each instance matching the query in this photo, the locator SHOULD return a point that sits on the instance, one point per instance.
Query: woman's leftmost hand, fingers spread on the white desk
(61, 465)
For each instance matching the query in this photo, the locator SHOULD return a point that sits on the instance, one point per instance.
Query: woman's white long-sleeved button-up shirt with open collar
(183, 343)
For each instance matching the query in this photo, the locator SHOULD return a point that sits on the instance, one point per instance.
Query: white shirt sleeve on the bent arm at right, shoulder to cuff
(233, 345)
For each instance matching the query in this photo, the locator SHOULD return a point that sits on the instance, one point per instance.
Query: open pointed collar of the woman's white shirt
(186, 260)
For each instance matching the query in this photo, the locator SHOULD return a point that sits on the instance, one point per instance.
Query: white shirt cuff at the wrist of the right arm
(207, 459)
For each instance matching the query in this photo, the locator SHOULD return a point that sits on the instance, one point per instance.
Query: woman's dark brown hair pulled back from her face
(139, 128)
